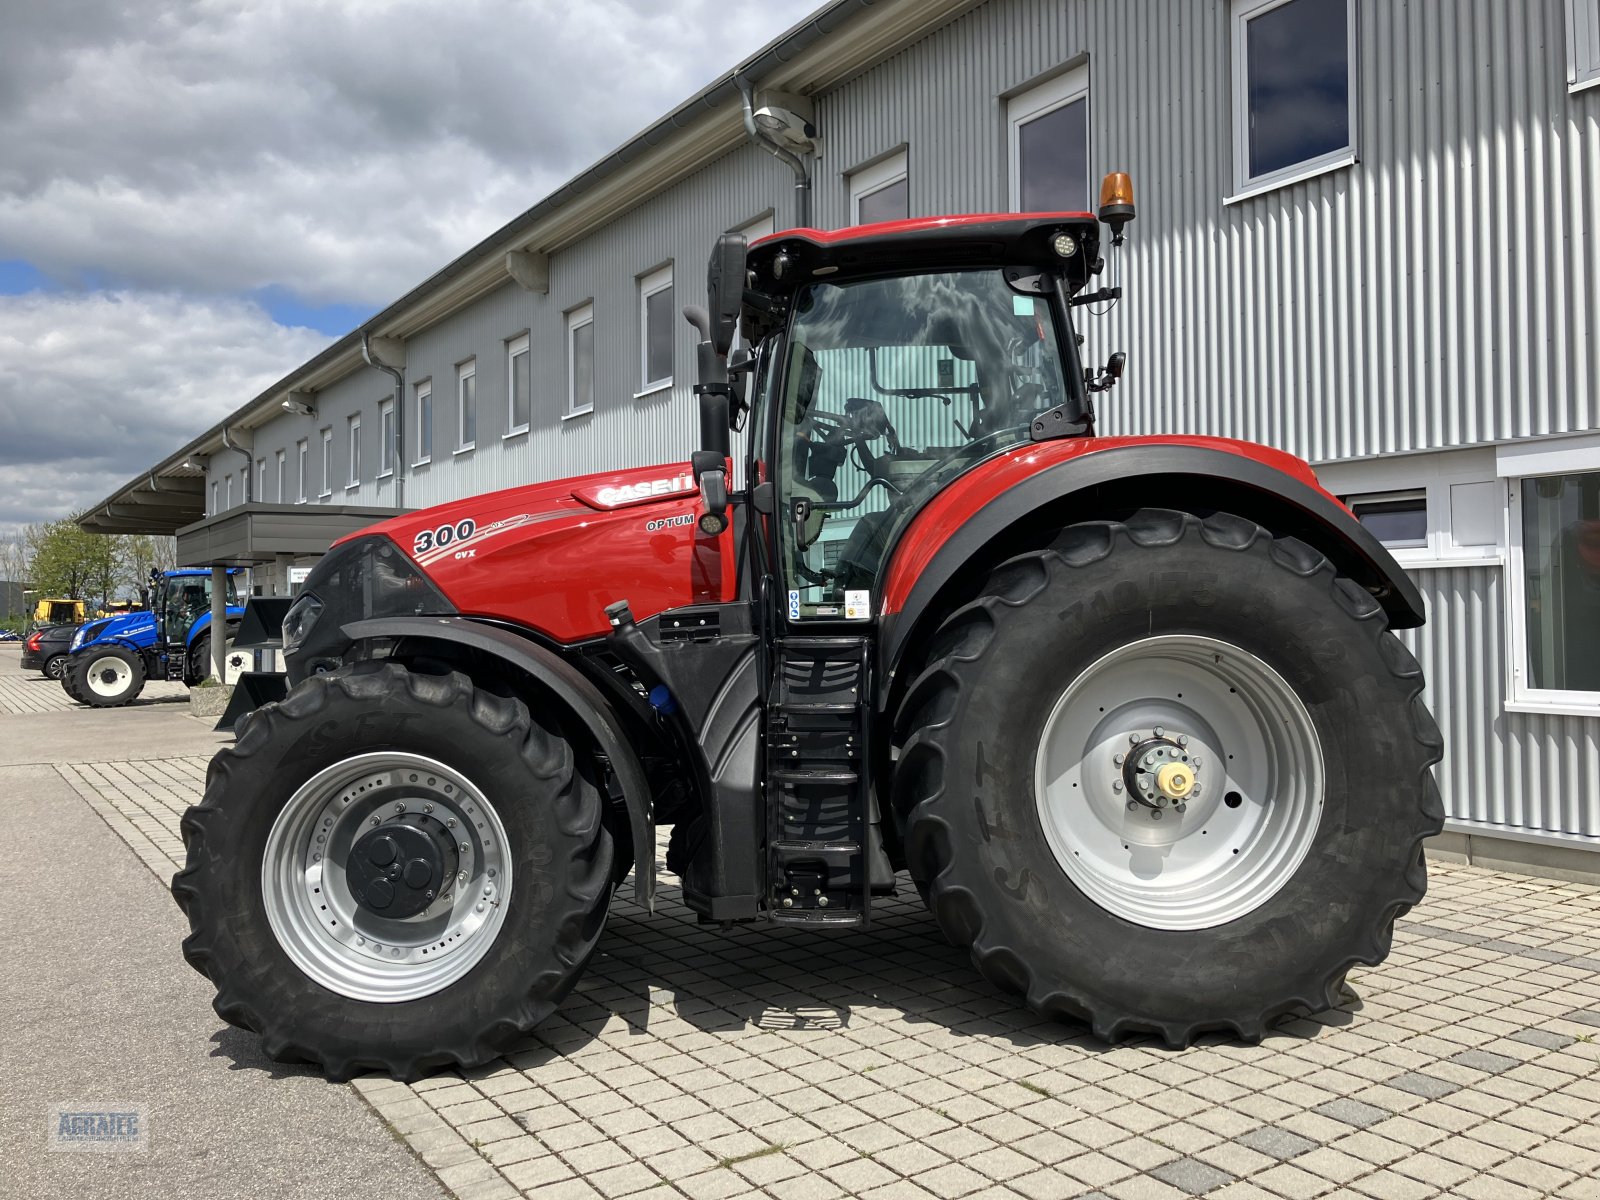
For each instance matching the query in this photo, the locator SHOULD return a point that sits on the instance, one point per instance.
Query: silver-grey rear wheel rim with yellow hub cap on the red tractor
(1252, 750)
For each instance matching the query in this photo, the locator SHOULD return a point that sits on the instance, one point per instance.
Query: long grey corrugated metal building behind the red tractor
(1367, 236)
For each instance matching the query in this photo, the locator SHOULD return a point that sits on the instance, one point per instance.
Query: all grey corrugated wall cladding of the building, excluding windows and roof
(1439, 294)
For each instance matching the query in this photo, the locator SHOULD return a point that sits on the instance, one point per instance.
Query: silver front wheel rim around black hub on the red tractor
(311, 906)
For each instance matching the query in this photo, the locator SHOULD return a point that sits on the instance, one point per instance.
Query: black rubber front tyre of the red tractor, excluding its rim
(556, 841)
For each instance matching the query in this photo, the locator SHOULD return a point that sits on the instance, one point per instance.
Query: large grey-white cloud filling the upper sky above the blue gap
(340, 151)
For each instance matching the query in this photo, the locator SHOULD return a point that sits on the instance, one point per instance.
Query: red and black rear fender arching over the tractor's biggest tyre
(935, 550)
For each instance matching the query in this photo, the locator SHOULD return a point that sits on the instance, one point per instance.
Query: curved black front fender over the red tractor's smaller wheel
(574, 689)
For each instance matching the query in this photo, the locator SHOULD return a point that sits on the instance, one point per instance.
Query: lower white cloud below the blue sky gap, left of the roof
(95, 388)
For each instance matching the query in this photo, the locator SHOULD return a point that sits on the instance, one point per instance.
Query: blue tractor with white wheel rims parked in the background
(114, 657)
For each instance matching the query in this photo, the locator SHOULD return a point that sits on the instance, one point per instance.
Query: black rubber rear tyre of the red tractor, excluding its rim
(974, 721)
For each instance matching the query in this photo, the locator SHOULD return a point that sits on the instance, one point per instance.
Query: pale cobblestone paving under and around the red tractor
(801, 1066)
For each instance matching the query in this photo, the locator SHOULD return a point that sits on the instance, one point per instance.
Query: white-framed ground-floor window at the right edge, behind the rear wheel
(1556, 542)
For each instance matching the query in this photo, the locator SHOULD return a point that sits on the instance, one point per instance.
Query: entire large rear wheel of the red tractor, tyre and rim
(1169, 775)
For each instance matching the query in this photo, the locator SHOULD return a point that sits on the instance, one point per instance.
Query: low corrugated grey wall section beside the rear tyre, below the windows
(1502, 769)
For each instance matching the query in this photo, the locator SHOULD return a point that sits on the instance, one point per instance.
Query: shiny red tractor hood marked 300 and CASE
(553, 556)
